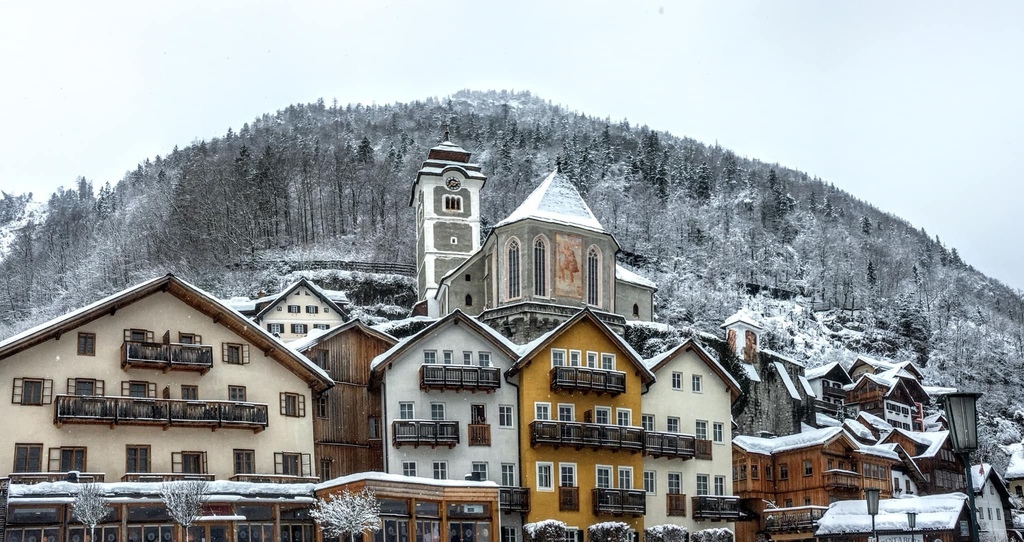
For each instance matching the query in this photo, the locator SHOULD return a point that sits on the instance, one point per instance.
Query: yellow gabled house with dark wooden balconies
(582, 454)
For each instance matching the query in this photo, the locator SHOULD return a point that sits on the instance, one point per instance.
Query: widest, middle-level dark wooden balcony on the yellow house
(581, 436)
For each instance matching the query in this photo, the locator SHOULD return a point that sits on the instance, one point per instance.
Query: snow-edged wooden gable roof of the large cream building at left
(202, 302)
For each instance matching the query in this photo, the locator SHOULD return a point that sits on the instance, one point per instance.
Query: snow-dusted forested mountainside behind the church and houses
(834, 276)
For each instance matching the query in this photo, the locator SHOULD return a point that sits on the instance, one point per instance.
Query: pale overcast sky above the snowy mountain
(916, 108)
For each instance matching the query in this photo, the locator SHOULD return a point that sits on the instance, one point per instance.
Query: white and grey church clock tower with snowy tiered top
(447, 197)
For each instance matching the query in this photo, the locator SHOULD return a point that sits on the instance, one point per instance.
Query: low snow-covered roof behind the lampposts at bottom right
(935, 513)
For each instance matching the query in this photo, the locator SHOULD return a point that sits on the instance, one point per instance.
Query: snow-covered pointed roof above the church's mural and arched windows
(558, 201)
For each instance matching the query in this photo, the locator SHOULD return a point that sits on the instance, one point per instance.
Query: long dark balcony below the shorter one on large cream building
(163, 412)
